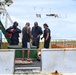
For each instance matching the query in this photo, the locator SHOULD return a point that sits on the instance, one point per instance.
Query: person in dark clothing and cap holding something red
(14, 31)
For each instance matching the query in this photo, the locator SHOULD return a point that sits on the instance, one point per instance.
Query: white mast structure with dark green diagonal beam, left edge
(4, 13)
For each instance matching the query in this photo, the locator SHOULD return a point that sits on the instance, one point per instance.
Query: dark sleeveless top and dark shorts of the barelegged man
(25, 37)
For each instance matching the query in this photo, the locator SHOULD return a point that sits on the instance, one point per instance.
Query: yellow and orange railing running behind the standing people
(53, 43)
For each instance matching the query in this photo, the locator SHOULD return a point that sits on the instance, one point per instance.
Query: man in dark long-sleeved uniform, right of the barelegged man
(36, 33)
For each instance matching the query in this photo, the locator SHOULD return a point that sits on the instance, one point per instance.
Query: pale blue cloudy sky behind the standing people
(63, 27)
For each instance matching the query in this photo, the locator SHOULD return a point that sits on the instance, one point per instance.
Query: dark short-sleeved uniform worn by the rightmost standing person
(46, 42)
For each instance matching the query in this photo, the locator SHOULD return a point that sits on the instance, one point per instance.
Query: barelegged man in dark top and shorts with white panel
(26, 36)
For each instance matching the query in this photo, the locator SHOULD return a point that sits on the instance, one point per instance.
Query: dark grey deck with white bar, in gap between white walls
(28, 69)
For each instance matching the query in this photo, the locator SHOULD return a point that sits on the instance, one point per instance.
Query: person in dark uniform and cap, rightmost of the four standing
(46, 36)
